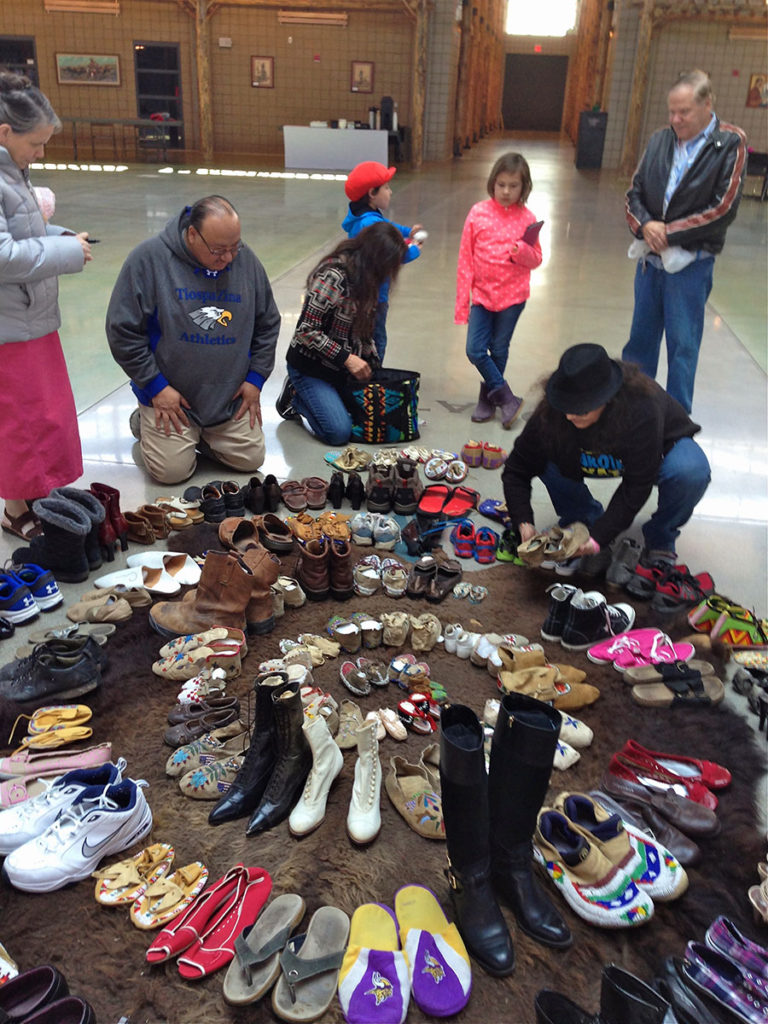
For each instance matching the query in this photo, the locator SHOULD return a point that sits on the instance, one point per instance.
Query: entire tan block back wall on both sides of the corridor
(313, 69)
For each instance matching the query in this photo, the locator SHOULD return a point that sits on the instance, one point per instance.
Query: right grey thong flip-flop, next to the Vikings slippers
(311, 967)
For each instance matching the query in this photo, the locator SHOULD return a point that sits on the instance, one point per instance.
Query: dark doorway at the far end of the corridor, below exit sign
(534, 92)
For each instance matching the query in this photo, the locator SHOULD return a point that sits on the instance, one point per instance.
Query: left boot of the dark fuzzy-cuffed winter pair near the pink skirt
(62, 547)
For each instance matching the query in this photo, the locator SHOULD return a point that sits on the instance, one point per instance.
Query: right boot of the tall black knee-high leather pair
(522, 755)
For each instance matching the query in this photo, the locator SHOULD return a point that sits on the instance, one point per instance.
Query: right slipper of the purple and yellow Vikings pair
(438, 959)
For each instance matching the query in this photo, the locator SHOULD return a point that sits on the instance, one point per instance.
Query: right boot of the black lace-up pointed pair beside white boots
(292, 765)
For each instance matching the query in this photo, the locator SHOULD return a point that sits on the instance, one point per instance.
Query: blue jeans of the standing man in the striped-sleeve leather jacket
(671, 305)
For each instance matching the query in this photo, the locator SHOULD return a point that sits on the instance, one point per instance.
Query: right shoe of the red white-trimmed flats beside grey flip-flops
(216, 949)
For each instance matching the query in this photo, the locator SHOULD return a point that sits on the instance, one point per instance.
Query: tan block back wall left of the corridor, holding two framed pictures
(312, 66)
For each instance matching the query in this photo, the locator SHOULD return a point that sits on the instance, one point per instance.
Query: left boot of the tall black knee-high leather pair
(465, 813)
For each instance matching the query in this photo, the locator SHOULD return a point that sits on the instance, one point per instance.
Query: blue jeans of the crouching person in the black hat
(682, 481)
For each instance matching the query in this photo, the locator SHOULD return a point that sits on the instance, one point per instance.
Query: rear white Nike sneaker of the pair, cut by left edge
(25, 822)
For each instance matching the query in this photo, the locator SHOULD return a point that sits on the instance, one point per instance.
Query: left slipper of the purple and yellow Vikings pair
(374, 986)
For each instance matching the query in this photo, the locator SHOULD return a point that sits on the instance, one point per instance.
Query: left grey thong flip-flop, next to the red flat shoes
(257, 964)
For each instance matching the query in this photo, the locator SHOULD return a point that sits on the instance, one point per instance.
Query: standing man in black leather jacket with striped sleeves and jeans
(685, 195)
